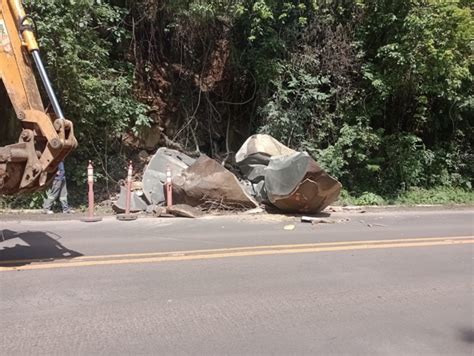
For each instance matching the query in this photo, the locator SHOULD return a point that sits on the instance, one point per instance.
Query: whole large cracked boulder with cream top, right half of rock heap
(291, 181)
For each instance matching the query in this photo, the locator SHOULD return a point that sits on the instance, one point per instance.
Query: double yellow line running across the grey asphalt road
(238, 252)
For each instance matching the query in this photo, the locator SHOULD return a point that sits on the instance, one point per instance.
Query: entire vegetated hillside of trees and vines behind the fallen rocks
(381, 93)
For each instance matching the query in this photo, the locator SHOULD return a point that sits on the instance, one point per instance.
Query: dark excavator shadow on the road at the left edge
(31, 245)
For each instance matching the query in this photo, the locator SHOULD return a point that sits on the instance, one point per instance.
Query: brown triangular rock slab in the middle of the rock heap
(208, 181)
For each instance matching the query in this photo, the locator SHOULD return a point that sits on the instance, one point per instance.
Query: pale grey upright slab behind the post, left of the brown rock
(154, 176)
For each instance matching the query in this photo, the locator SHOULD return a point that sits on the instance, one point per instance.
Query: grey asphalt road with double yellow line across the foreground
(381, 283)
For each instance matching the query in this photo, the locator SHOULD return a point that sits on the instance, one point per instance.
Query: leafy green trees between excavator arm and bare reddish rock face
(82, 42)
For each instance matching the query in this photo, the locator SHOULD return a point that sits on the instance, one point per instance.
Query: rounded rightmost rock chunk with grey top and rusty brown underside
(296, 183)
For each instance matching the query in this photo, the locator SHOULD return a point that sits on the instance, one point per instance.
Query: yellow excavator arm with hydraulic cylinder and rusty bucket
(45, 138)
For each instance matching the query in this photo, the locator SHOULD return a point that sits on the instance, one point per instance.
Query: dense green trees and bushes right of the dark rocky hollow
(389, 107)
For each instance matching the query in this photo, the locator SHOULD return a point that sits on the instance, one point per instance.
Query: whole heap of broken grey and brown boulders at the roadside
(269, 173)
